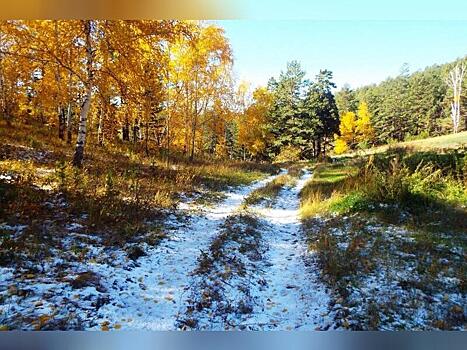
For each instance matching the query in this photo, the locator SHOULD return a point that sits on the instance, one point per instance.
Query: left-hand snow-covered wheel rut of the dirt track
(151, 294)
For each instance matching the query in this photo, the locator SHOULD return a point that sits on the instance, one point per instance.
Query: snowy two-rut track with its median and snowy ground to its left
(271, 284)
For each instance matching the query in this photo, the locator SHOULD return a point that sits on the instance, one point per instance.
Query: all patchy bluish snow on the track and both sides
(283, 289)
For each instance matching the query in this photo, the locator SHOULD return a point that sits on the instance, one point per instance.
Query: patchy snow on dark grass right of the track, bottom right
(397, 291)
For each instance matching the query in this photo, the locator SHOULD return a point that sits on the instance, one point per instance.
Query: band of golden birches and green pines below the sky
(168, 85)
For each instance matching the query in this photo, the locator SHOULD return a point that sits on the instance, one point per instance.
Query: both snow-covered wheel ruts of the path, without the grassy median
(155, 294)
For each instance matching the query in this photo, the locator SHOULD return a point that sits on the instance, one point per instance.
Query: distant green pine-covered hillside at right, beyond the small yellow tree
(409, 106)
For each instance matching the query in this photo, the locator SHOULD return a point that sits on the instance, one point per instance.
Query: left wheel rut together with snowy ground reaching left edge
(105, 288)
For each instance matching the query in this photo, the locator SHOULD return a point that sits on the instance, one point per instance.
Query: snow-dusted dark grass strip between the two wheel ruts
(226, 265)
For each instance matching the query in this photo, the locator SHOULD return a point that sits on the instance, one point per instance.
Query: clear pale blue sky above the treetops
(358, 52)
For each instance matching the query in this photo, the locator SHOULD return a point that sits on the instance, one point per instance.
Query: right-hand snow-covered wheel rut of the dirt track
(294, 297)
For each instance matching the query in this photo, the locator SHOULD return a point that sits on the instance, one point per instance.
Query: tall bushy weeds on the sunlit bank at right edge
(425, 177)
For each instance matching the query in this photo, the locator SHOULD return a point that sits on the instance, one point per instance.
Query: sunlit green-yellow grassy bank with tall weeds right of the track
(420, 183)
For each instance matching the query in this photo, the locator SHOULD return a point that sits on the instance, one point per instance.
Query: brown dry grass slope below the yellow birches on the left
(120, 193)
